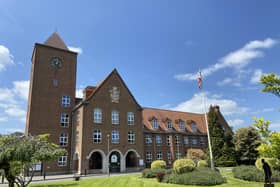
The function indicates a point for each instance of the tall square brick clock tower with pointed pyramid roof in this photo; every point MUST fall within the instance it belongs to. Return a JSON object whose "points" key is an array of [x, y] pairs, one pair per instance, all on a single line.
{"points": [[52, 96]]}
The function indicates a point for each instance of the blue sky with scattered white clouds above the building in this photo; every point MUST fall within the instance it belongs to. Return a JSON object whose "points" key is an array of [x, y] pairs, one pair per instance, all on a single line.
{"points": [[157, 46]]}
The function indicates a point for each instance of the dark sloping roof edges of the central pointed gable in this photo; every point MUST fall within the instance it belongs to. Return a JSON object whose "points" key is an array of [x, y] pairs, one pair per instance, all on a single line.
{"points": [[98, 87]]}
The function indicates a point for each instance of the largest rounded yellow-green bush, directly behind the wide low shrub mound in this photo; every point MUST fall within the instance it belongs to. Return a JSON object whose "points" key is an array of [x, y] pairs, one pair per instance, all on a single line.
{"points": [[183, 165]]}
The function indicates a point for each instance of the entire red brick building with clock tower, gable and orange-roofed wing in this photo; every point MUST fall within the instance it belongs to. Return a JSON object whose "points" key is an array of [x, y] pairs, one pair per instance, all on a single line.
{"points": [[106, 128]]}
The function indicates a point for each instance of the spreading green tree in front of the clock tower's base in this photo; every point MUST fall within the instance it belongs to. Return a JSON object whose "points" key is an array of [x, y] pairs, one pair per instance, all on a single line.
{"points": [[19, 154]]}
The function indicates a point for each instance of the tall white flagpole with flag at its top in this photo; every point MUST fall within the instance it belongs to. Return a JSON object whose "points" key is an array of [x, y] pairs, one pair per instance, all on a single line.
{"points": [[206, 121]]}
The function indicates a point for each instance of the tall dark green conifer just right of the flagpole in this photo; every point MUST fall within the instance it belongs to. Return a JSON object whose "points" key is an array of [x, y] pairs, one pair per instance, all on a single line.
{"points": [[221, 140]]}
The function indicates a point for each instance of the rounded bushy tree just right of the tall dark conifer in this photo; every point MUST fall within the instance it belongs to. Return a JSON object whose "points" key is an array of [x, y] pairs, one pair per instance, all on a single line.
{"points": [[246, 141]]}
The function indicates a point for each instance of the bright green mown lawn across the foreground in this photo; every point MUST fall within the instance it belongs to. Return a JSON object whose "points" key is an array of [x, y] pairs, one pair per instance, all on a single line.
{"points": [[137, 181]]}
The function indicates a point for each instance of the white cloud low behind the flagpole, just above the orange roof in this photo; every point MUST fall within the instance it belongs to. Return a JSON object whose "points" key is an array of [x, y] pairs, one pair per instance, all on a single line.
{"points": [[195, 104]]}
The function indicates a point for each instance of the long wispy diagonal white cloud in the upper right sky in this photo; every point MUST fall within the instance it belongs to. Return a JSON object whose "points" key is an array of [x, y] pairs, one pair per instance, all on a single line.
{"points": [[236, 59]]}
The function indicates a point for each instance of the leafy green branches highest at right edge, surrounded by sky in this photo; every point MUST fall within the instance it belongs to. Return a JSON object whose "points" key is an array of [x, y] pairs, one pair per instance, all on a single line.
{"points": [[272, 84]]}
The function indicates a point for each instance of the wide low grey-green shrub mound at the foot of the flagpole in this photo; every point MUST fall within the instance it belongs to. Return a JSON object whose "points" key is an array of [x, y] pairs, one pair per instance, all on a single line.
{"points": [[202, 176]]}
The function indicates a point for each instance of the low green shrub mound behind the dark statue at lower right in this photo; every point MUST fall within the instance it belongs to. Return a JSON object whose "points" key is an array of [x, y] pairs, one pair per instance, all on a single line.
{"points": [[252, 173]]}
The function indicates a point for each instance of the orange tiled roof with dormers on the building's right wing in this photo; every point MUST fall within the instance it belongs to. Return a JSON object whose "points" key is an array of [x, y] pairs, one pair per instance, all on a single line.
{"points": [[175, 116]]}
